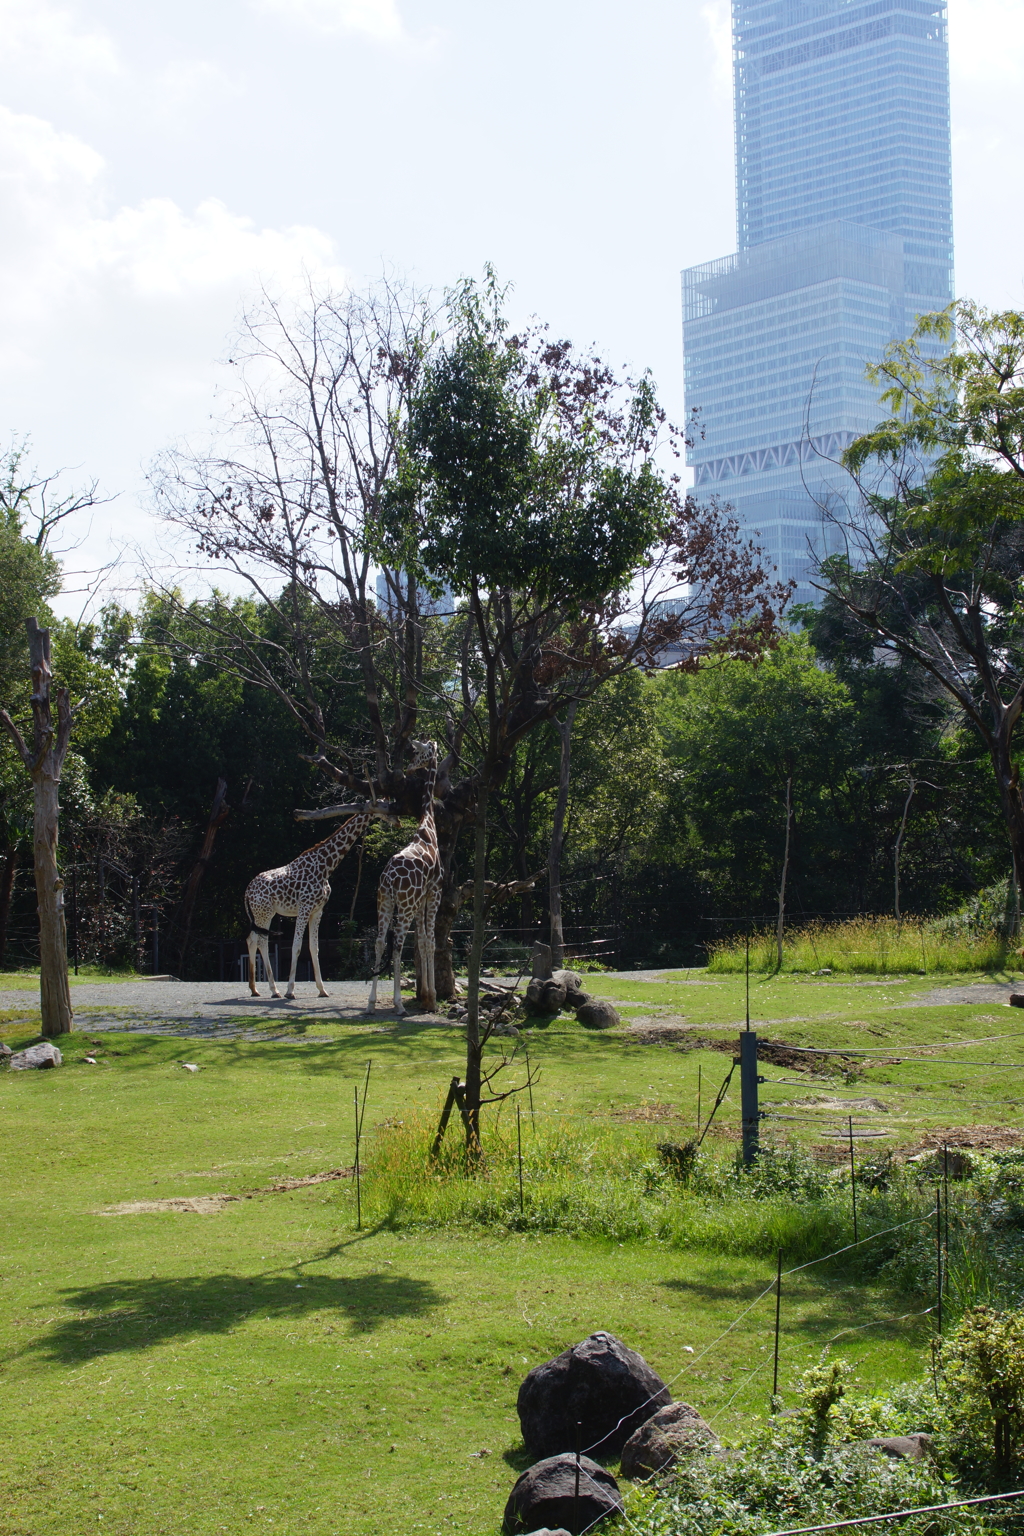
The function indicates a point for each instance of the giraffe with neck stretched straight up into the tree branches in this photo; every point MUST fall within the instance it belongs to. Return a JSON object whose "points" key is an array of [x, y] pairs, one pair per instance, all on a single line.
{"points": [[411, 893]]}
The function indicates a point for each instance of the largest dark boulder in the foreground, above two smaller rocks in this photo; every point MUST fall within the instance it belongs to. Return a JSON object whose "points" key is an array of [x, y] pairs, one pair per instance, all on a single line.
{"points": [[603, 1385]]}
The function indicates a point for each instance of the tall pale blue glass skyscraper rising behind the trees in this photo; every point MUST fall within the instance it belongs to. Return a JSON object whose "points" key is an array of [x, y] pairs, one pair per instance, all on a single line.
{"points": [[845, 236]]}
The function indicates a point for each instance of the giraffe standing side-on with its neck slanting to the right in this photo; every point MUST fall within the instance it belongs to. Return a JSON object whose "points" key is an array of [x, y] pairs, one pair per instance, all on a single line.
{"points": [[302, 890]]}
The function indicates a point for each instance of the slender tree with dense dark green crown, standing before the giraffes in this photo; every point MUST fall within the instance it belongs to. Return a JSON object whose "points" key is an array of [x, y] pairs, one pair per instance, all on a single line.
{"points": [[529, 482]]}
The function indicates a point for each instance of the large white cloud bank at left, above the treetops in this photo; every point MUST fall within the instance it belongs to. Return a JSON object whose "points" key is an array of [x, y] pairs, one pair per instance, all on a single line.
{"points": [[111, 320]]}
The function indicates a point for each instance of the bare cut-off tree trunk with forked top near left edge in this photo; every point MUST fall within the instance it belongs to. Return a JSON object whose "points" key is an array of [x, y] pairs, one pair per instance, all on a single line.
{"points": [[44, 761]]}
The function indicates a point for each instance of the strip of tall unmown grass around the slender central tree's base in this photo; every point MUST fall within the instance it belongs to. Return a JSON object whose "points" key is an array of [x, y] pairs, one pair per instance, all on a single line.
{"points": [[609, 1182]]}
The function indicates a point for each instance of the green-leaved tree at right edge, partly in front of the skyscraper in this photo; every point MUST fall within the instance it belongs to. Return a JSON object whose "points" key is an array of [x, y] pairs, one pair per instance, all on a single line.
{"points": [[934, 549]]}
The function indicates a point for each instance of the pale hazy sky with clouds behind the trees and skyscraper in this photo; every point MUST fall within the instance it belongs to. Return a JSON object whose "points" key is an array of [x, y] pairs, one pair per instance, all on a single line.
{"points": [[157, 162]]}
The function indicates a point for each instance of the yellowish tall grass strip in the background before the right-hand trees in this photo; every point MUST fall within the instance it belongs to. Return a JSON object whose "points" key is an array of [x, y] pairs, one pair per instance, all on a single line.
{"points": [[868, 947]]}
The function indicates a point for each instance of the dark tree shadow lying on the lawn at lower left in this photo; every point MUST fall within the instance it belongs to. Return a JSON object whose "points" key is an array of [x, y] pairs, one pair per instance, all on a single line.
{"points": [[137, 1314]]}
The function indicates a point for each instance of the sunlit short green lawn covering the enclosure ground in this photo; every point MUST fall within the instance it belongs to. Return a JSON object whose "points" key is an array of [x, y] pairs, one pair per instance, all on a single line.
{"points": [[266, 1366]]}
